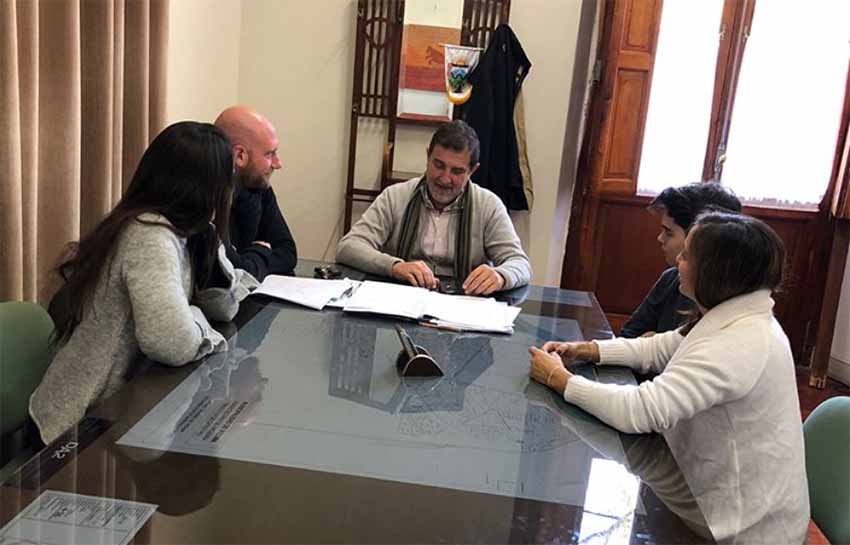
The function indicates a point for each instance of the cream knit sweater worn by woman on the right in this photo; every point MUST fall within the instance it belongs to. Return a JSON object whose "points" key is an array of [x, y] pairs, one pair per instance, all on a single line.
{"points": [[726, 402]]}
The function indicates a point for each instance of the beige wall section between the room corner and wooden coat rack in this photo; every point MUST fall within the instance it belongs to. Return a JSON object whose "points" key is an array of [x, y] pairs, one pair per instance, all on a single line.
{"points": [[296, 67]]}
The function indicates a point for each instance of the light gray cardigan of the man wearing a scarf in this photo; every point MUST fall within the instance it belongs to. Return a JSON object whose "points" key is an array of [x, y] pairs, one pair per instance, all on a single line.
{"points": [[372, 244]]}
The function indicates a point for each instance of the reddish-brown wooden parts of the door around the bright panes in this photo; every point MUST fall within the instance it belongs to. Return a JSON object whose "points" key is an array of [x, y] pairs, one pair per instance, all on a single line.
{"points": [[611, 247]]}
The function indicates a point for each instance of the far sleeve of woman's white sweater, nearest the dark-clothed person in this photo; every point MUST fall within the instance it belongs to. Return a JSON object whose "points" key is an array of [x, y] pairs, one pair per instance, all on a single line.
{"points": [[643, 354]]}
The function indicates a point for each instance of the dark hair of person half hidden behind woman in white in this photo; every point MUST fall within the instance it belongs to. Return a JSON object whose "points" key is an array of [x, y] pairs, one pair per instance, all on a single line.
{"points": [[685, 203]]}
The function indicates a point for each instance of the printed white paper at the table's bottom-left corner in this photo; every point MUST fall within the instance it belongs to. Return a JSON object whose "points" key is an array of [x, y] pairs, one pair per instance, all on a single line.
{"points": [[61, 518]]}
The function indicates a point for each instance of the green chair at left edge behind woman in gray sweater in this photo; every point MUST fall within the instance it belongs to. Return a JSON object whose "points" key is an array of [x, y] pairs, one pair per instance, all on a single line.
{"points": [[25, 330]]}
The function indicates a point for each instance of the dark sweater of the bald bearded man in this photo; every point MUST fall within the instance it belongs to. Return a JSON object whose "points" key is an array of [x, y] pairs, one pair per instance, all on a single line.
{"points": [[255, 215]]}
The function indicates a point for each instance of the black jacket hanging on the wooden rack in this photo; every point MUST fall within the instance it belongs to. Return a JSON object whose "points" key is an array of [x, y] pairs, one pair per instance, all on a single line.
{"points": [[490, 111]]}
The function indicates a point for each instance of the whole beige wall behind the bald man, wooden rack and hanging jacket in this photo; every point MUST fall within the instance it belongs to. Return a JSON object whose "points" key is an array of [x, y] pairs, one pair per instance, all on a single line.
{"points": [[294, 64]]}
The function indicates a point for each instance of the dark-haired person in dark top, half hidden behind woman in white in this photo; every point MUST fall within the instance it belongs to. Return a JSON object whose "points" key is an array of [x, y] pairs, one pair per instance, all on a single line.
{"points": [[664, 307]]}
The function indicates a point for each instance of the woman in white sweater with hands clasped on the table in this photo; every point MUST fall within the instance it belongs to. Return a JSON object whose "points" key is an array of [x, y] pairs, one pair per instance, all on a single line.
{"points": [[726, 396]]}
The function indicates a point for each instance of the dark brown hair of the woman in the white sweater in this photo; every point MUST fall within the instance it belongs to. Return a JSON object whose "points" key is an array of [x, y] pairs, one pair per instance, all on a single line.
{"points": [[733, 255]]}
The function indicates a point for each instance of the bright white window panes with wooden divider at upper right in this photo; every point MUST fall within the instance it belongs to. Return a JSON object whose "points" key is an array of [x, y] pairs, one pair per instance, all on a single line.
{"points": [[780, 115]]}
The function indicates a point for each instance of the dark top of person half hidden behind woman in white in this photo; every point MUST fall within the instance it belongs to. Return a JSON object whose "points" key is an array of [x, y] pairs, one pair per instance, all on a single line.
{"points": [[662, 308]]}
